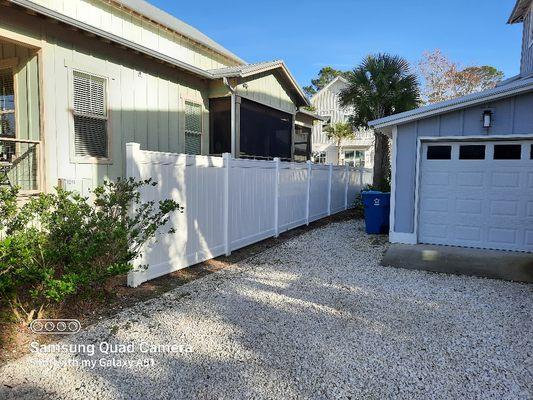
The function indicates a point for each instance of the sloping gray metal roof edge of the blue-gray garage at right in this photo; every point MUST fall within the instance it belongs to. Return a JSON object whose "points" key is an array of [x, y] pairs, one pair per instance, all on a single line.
{"points": [[514, 87]]}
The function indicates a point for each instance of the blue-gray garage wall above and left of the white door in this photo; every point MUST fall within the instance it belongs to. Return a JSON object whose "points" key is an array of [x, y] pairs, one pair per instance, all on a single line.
{"points": [[511, 116]]}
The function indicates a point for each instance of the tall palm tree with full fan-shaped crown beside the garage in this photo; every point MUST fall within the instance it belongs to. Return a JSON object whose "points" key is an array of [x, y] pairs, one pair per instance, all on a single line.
{"points": [[380, 86]]}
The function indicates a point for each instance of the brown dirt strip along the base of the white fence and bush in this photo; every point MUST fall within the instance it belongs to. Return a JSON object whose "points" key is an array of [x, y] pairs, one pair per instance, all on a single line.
{"points": [[116, 295]]}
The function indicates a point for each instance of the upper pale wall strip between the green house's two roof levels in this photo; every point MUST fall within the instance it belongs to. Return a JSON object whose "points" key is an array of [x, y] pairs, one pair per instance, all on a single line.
{"points": [[136, 29]]}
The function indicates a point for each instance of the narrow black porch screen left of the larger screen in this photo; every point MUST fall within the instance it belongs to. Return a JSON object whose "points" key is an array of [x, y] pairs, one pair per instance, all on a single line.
{"points": [[220, 125]]}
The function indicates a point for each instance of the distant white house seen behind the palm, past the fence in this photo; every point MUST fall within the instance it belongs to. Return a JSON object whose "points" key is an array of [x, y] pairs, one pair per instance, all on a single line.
{"points": [[356, 152]]}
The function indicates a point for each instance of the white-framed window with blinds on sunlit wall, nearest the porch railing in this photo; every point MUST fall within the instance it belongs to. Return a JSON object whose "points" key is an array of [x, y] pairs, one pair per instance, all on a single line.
{"points": [[90, 116]]}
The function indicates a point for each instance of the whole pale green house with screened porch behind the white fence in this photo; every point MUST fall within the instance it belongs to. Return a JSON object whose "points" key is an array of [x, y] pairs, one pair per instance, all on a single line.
{"points": [[79, 79]]}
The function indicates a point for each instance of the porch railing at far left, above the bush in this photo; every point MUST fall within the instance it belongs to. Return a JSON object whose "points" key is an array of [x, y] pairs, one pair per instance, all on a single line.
{"points": [[20, 163]]}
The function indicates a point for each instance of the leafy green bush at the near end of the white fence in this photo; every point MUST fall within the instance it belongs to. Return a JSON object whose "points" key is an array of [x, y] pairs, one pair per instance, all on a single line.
{"points": [[57, 245]]}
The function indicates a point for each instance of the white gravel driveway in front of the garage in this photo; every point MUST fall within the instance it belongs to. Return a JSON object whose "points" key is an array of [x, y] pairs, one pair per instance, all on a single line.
{"points": [[315, 317]]}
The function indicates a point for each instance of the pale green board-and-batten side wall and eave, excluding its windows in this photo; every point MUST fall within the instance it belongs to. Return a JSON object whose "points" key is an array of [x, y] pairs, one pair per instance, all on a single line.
{"points": [[145, 99]]}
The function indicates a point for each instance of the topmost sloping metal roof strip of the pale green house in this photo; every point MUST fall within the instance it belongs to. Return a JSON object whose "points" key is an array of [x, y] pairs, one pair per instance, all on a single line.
{"points": [[177, 25]]}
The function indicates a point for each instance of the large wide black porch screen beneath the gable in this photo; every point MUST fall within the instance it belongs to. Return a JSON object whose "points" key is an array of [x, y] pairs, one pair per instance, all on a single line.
{"points": [[265, 132]]}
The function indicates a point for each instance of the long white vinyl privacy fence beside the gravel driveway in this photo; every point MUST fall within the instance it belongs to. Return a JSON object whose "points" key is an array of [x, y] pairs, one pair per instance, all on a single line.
{"points": [[231, 203]]}
